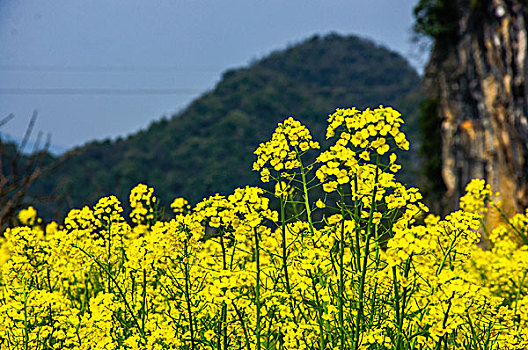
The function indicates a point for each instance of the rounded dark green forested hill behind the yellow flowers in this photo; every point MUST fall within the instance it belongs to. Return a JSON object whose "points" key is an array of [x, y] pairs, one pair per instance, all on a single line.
{"points": [[208, 147]]}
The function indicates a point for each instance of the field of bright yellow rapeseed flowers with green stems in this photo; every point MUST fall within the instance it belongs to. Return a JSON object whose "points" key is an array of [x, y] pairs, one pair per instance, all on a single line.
{"points": [[336, 255]]}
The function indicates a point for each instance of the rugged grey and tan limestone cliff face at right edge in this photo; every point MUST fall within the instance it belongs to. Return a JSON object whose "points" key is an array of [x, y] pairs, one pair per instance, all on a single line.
{"points": [[480, 80]]}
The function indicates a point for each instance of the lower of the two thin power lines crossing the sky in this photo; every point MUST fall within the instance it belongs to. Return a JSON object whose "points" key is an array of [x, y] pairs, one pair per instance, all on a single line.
{"points": [[93, 92]]}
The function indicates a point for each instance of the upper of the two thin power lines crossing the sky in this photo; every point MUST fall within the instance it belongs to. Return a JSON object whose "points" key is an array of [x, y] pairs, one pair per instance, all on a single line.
{"points": [[57, 68]]}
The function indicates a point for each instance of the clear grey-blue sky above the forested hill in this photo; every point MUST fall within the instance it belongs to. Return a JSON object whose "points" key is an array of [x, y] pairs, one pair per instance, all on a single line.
{"points": [[106, 68]]}
